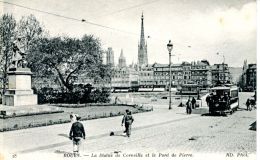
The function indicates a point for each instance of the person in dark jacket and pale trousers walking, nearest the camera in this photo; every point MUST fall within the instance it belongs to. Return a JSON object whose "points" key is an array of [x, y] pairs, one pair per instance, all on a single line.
{"points": [[76, 134]]}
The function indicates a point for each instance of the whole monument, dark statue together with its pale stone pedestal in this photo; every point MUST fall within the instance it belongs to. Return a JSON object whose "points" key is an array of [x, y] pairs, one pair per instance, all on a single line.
{"points": [[19, 92]]}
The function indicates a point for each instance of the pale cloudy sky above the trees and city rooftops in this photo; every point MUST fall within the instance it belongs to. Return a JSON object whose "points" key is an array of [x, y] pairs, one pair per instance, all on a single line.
{"points": [[198, 29]]}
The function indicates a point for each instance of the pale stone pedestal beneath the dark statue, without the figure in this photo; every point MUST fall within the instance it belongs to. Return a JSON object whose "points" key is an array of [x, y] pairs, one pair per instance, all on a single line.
{"points": [[19, 91]]}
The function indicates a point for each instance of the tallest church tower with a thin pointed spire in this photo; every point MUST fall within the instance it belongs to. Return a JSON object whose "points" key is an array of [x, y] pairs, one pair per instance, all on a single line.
{"points": [[142, 46]]}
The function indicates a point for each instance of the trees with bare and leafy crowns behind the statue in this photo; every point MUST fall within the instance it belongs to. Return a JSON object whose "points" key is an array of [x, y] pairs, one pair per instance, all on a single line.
{"points": [[62, 58]]}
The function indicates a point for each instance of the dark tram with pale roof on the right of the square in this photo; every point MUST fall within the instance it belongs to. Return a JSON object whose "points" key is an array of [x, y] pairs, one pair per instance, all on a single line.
{"points": [[223, 99]]}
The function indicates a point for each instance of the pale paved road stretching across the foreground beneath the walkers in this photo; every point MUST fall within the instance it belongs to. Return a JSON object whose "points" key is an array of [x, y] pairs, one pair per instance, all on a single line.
{"points": [[160, 131]]}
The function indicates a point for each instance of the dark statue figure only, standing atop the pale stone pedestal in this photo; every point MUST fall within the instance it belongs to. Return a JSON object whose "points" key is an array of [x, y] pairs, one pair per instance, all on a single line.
{"points": [[18, 57]]}
